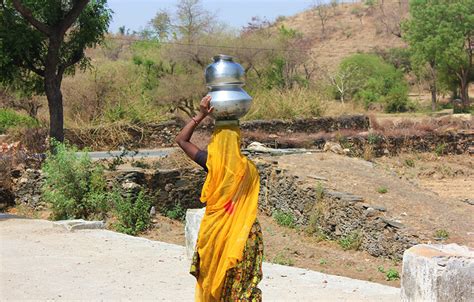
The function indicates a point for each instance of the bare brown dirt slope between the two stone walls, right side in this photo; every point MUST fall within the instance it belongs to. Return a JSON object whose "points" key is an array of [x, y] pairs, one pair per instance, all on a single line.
{"points": [[422, 203]]}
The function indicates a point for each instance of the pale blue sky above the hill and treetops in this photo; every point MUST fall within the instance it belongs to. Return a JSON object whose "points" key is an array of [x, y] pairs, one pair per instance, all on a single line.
{"points": [[135, 14]]}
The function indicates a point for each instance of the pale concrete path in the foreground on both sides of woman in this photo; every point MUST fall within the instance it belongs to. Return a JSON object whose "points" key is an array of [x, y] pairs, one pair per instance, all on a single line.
{"points": [[42, 262]]}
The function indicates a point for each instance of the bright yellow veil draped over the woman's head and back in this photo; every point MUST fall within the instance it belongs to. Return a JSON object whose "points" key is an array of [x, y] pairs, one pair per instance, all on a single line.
{"points": [[231, 195]]}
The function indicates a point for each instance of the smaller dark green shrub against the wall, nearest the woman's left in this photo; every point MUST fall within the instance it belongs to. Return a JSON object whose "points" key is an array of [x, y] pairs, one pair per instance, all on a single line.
{"points": [[132, 211]]}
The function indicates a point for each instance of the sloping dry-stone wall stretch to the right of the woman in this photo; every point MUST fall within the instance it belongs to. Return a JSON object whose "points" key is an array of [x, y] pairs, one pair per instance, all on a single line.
{"points": [[334, 214]]}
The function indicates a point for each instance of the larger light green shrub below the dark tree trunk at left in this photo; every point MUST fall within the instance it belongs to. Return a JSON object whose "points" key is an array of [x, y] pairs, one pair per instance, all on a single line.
{"points": [[74, 185]]}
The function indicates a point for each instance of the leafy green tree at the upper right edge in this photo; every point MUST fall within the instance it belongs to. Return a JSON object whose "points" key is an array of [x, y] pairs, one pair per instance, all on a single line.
{"points": [[440, 34]]}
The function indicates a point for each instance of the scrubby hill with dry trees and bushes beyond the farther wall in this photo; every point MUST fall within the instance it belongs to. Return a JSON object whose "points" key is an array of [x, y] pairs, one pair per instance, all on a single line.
{"points": [[334, 58]]}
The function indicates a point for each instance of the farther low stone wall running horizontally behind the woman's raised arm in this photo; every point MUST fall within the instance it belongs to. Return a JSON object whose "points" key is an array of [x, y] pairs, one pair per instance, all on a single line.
{"points": [[350, 131]]}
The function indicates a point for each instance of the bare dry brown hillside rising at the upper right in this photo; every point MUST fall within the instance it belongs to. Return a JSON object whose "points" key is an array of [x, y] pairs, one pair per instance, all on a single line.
{"points": [[349, 28]]}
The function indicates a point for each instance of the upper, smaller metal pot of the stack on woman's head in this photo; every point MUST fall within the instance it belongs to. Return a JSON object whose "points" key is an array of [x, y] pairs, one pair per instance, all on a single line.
{"points": [[224, 71]]}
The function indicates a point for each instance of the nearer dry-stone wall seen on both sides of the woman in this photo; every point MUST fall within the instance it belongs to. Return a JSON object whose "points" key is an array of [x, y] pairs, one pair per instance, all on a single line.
{"points": [[318, 210]]}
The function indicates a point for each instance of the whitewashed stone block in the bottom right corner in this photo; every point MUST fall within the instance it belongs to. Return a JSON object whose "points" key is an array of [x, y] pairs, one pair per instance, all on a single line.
{"points": [[438, 273]]}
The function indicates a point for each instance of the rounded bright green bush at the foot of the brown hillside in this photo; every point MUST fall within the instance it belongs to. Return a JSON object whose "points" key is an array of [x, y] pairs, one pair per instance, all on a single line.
{"points": [[375, 81]]}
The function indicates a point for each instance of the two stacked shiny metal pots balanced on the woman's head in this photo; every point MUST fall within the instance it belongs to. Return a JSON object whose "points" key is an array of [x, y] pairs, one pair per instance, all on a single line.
{"points": [[224, 78]]}
